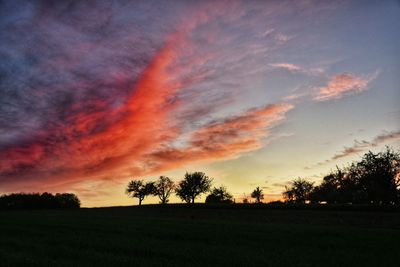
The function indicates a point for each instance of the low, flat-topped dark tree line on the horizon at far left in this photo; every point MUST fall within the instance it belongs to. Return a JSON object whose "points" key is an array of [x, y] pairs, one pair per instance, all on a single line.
{"points": [[39, 201]]}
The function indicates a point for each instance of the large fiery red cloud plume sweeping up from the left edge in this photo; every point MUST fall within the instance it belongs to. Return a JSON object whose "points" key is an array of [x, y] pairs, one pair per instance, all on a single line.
{"points": [[90, 141]]}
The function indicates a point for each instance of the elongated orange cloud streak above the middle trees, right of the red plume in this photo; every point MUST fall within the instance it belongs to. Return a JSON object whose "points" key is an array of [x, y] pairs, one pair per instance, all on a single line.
{"points": [[223, 139]]}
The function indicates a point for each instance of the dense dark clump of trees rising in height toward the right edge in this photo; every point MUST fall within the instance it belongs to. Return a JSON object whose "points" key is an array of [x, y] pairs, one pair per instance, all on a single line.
{"points": [[373, 180]]}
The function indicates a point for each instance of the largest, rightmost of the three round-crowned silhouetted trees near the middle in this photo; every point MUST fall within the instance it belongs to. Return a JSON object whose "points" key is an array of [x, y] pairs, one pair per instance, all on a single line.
{"points": [[193, 185]]}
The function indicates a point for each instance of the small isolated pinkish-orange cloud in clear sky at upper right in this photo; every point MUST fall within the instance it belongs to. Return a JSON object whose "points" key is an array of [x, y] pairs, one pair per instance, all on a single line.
{"points": [[343, 84]]}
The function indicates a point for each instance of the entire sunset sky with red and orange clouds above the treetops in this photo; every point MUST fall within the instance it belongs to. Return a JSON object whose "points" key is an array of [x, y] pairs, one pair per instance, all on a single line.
{"points": [[94, 94]]}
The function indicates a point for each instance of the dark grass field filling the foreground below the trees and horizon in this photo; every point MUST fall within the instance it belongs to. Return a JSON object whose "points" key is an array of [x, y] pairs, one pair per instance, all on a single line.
{"points": [[179, 235]]}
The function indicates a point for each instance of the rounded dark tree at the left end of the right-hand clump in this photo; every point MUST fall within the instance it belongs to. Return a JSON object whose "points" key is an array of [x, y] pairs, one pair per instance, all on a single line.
{"points": [[299, 191]]}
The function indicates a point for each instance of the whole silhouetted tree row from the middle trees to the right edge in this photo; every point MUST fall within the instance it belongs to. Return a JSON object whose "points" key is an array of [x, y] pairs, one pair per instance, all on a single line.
{"points": [[373, 180]]}
